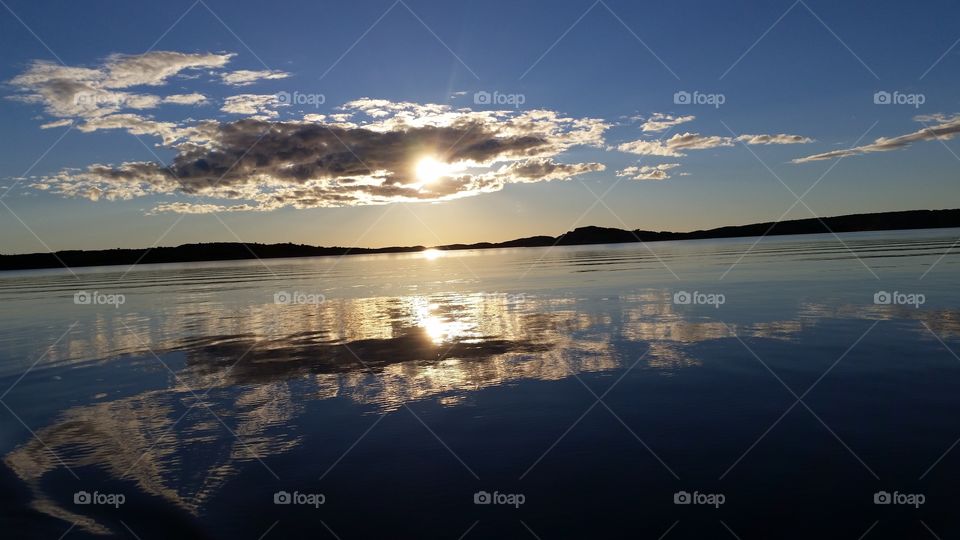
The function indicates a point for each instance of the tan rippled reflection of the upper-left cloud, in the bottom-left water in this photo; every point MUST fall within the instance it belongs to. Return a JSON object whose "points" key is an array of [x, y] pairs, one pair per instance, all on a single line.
{"points": [[180, 455]]}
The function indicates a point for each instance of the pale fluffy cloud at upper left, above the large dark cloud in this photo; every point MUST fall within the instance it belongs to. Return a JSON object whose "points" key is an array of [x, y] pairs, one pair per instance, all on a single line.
{"points": [[83, 92]]}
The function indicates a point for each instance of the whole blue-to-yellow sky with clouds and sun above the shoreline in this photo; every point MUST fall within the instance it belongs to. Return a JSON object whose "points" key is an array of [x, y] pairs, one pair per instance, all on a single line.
{"points": [[418, 122]]}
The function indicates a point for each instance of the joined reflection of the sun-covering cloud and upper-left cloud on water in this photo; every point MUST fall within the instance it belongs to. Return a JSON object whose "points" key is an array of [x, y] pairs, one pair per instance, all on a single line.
{"points": [[256, 371]]}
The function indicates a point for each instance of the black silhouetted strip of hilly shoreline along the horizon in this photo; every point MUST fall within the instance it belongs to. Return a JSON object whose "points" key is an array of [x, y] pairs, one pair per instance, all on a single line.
{"points": [[229, 251]]}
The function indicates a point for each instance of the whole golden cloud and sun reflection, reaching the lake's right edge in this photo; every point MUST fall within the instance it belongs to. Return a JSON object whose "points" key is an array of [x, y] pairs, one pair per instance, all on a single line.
{"points": [[258, 366]]}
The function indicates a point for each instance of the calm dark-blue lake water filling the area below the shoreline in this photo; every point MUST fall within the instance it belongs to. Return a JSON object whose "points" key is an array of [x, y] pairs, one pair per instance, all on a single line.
{"points": [[572, 392]]}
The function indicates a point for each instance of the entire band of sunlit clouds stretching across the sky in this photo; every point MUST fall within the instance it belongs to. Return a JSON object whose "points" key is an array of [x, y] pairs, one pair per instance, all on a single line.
{"points": [[263, 152]]}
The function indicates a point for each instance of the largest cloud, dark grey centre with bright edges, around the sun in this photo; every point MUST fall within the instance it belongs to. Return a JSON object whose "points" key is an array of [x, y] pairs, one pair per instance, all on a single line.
{"points": [[363, 157]]}
